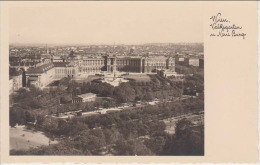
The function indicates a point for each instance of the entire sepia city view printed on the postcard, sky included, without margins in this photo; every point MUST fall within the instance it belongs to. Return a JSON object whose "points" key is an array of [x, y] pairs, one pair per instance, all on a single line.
{"points": [[106, 79]]}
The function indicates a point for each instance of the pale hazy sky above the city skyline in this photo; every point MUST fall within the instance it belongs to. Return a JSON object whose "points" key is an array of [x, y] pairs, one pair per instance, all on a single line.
{"points": [[105, 22]]}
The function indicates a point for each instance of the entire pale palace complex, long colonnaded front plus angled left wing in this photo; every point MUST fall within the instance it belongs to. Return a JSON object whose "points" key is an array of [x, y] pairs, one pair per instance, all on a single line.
{"points": [[45, 72]]}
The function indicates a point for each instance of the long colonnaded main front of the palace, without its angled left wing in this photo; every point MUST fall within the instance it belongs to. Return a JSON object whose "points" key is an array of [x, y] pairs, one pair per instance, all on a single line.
{"points": [[136, 64]]}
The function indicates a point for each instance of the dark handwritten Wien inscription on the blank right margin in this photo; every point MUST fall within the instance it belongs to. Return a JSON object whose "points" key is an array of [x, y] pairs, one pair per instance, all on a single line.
{"points": [[223, 27]]}
